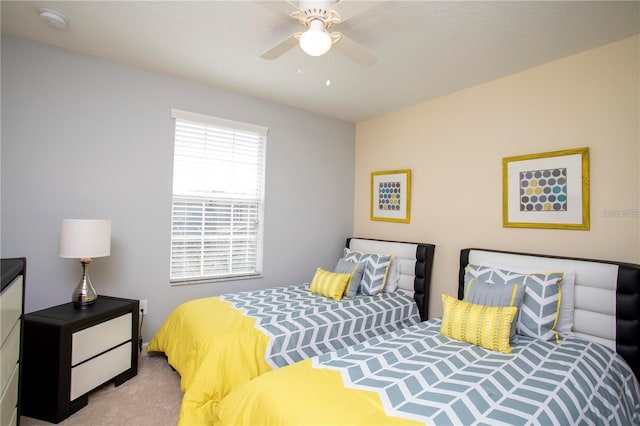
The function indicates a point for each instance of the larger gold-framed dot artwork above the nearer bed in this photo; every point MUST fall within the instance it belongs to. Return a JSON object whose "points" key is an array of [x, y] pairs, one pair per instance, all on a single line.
{"points": [[546, 190]]}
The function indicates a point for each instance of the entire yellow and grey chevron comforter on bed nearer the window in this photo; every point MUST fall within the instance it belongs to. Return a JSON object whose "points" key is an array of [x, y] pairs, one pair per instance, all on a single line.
{"points": [[219, 343]]}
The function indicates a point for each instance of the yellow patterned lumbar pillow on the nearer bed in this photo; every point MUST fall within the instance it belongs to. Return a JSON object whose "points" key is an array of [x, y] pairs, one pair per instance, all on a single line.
{"points": [[486, 326]]}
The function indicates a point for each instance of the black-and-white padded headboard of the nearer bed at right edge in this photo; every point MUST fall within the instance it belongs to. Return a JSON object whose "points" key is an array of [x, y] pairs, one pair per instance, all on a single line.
{"points": [[606, 296]]}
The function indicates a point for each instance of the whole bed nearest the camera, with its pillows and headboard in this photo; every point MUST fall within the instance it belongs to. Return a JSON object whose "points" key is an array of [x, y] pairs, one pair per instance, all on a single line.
{"points": [[587, 373]]}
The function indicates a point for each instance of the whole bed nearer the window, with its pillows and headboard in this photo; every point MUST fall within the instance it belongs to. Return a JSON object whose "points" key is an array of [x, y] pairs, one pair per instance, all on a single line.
{"points": [[219, 343]]}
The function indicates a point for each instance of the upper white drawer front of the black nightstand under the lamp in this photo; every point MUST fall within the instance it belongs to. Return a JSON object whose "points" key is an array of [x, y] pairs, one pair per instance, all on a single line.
{"points": [[94, 340]]}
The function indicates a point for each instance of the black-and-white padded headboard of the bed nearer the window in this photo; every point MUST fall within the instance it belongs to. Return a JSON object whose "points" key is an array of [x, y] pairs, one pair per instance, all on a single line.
{"points": [[416, 262]]}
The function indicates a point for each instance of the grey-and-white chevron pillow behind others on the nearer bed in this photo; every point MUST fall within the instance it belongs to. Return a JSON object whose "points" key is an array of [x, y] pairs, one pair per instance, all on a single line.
{"points": [[538, 314]]}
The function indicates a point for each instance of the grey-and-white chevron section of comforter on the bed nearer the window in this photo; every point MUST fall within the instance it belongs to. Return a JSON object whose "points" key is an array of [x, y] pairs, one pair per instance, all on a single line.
{"points": [[301, 324]]}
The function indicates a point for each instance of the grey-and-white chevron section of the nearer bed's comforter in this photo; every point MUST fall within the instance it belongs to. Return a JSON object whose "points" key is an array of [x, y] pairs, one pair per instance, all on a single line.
{"points": [[421, 375]]}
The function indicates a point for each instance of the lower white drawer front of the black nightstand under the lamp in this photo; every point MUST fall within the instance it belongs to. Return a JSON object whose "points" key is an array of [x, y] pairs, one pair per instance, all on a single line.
{"points": [[97, 371]]}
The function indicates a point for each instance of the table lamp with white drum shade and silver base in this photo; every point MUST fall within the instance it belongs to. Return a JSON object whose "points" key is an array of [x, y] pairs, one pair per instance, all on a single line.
{"points": [[84, 239]]}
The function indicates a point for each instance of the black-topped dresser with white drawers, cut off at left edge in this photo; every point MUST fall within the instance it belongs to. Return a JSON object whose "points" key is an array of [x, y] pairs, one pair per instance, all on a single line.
{"points": [[11, 309]]}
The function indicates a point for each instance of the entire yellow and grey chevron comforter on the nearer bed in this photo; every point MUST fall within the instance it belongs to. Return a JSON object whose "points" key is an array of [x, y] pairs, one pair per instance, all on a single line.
{"points": [[417, 376]]}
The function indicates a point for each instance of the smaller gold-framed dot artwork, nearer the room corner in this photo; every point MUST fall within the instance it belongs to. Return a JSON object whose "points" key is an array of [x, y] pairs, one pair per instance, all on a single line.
{"points": [[391, 196]]}
